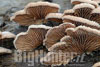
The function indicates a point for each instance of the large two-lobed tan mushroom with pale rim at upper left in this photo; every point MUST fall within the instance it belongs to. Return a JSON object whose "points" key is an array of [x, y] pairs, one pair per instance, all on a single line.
{"points": [[35, 13]]}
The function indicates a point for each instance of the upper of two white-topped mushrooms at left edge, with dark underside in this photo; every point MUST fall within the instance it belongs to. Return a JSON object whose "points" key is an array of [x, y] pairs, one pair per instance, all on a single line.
{"points": [[6, 39]]}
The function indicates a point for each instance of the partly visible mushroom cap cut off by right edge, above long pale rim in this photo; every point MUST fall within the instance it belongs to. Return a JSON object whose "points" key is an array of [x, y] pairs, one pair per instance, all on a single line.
{"points": [[95, 15]]}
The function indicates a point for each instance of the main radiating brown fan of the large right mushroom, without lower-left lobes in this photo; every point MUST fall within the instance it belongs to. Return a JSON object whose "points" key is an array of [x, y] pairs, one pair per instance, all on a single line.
{"points": [[82, 39]]}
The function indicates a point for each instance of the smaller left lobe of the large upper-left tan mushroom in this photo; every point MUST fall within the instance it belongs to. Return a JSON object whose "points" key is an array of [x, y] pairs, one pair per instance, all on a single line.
{"points": [[23, 19]]}
